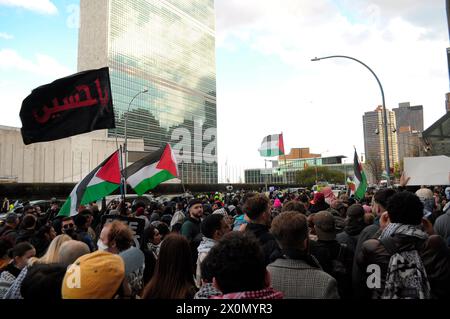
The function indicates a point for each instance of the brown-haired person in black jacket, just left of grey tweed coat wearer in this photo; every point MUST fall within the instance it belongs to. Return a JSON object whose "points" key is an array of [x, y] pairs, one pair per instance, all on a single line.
{"points": [[257, 209]]}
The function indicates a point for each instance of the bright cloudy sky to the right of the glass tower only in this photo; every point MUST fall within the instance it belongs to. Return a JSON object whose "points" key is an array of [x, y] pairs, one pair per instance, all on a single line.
{"points": [[266, 81]]}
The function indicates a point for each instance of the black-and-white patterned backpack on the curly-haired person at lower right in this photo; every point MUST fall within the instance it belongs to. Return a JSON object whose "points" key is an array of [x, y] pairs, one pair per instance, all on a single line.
{"points": [[406, 277]]}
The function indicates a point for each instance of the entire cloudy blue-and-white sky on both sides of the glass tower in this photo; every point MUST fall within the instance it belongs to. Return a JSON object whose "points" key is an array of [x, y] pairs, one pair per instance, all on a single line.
{"points": [[266, 82]]}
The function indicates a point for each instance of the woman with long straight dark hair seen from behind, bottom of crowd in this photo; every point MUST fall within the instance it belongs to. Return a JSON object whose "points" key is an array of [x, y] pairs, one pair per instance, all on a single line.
{"points": [[173, 277]]}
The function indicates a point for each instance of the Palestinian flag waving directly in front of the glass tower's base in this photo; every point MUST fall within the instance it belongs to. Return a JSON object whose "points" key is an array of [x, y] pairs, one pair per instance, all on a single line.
{"points": [[152, 170]]}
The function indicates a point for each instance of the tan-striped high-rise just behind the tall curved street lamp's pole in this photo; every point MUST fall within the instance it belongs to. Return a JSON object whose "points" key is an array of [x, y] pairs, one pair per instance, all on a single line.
{"points": [[374, 139]]}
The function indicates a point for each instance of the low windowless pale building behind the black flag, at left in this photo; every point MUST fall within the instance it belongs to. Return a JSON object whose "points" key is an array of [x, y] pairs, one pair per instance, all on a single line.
{"points": [[63, 161]]}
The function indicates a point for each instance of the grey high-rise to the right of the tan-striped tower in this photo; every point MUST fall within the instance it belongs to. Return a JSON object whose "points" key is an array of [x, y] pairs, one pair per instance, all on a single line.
{"points": [[409, 126]]}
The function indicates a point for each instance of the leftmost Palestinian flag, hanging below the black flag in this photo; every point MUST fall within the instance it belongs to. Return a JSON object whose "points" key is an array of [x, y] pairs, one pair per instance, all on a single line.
{"points": [[102, 181]]}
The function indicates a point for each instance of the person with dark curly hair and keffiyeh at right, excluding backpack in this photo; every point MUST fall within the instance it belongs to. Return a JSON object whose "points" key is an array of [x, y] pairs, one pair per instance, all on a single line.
{"points": [[405, 229]]}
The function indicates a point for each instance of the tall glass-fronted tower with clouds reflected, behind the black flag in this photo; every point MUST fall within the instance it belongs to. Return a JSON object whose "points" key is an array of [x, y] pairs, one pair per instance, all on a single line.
{"points": [[168, 48]]}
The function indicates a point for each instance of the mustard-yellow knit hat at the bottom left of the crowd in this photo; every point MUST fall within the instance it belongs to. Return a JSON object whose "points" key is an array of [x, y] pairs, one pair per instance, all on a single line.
{"points": [[94, 276]]}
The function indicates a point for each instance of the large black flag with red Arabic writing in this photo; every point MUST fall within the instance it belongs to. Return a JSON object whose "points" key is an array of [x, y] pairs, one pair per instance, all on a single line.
{"points": [[76, 104]]}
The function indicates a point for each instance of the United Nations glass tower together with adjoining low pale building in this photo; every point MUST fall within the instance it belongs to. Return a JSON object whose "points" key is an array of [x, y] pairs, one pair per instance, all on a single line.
{"points": [[161, 59]]}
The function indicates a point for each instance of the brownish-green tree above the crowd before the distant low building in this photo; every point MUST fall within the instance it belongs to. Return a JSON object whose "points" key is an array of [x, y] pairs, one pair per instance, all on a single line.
{"points": [[308, 176]]}
